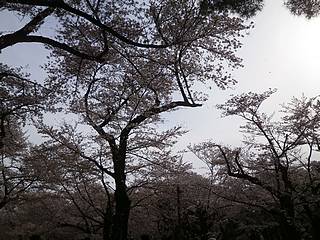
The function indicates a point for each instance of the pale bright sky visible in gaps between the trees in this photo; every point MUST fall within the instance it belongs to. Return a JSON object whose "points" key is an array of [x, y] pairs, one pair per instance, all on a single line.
{"points": [[282, 51]]}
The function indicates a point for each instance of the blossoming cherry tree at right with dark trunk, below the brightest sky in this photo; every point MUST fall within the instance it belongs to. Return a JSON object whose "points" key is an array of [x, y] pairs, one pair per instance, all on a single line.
{"points": [[278, 157]]}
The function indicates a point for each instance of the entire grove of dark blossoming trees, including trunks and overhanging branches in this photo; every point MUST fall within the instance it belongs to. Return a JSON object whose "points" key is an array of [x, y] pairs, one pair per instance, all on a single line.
{"points": [[109, 169]]}
